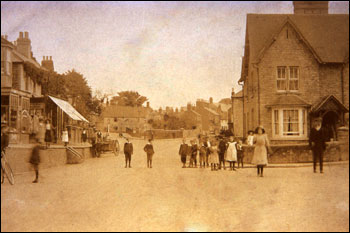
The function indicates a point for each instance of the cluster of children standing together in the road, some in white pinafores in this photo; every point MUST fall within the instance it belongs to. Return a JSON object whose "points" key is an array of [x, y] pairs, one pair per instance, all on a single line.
{"points": [[214, 153]]}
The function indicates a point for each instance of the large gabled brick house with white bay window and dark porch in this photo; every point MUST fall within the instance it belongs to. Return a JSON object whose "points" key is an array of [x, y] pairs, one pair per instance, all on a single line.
{"points": [[295, 68]]}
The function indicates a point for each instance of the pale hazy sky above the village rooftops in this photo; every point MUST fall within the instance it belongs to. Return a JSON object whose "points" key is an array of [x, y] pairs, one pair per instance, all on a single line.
{"points": [[171, 52]]}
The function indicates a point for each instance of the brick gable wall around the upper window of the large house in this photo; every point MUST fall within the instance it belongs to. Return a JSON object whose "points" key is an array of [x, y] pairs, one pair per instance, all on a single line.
{"points": [[286, 51]]}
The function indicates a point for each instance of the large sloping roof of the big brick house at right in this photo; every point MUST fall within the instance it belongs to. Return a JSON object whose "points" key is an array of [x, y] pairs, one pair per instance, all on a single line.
{"points": [[328, 35]]}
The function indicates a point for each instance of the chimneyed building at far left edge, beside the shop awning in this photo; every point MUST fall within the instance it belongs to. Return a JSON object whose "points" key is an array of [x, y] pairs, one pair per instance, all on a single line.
{"points": [[17, 88]]}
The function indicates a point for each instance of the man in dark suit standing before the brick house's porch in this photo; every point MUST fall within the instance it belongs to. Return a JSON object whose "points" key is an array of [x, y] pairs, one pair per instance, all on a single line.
{"points": [[317, 142]]}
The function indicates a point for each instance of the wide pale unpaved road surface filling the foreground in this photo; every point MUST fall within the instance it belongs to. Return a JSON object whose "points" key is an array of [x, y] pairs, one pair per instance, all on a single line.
{"points": [[101, 195]]}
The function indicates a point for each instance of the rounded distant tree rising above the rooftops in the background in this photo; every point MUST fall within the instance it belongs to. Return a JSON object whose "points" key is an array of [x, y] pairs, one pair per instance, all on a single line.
{"points": [[128, 98]]}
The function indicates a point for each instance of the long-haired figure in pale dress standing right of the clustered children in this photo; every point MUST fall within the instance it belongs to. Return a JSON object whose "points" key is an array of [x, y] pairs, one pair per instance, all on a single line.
{"points": [[260, 151]]}
